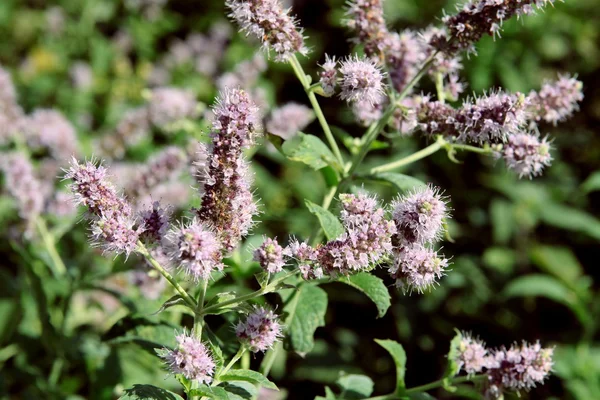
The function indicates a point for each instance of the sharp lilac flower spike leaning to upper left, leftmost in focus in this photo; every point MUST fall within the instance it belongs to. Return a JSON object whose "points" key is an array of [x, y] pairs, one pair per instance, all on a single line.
{"points": [[111, 215]]}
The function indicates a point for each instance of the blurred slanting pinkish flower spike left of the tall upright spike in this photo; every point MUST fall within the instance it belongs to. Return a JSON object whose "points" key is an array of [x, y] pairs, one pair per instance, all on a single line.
{"points": [[160, 168]]}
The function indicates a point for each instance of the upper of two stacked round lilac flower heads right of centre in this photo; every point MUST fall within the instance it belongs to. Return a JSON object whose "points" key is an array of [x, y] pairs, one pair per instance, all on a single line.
{"points": [[419, 216]]}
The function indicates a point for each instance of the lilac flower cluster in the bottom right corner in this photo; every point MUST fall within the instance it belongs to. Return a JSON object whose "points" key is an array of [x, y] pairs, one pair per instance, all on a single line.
{"points": [[517, 368]]}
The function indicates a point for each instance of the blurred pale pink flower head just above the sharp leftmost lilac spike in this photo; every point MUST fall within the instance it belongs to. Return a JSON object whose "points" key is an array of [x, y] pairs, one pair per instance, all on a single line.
{"points": [[50, 130]]}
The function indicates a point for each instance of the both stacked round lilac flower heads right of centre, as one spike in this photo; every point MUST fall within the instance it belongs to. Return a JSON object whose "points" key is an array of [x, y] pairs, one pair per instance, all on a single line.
{"points": [[419, 219]]}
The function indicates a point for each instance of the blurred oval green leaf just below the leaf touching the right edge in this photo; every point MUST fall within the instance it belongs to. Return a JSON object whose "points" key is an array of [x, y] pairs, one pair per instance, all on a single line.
{"points": [[557, 261]]}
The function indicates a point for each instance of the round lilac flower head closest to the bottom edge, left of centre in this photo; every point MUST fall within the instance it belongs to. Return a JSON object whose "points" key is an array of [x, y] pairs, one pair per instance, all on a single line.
{"points": [[191, 358]]}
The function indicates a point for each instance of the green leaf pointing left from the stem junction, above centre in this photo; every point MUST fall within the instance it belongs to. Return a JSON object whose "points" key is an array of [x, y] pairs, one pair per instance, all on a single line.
{"points": [[310, 150]]}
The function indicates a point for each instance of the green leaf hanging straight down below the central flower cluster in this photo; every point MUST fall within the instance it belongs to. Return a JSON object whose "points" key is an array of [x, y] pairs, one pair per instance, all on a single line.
{"points": [[306, 312]]}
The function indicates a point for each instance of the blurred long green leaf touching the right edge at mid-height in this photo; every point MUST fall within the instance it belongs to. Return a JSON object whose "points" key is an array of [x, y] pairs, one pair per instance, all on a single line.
{"points": [[571, 219]]}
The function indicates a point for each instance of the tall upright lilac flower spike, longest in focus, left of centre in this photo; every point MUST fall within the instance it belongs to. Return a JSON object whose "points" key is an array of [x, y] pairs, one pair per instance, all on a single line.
{"points": [[227, 203]]}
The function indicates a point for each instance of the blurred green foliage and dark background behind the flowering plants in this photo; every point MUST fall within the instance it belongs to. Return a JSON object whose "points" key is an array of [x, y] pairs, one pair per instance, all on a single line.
{"points": [[525, 253]]}
